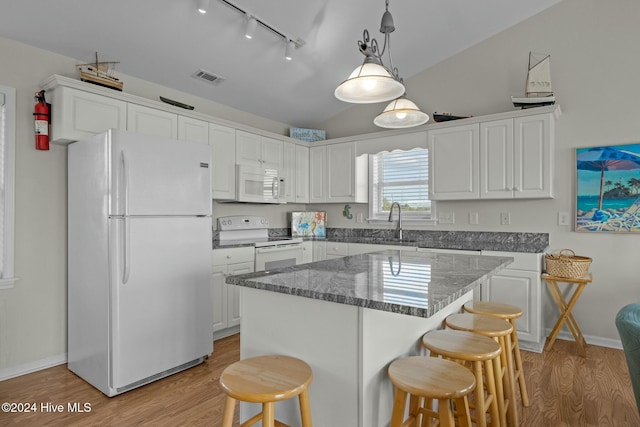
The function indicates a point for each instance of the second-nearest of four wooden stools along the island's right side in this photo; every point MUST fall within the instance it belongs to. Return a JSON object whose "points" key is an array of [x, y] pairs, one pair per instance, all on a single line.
{"points": [[483, 355]]}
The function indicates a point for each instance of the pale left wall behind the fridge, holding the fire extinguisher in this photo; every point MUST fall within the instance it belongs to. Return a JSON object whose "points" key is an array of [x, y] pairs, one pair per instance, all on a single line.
{"points": [[33, 314]]}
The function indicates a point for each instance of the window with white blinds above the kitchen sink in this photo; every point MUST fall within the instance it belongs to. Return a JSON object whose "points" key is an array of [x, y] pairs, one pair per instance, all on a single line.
{"points": [[403, 177]]}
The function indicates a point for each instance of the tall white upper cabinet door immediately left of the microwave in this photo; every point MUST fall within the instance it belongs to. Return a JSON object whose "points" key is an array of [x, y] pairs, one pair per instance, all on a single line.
{"points": [[223, 158]]}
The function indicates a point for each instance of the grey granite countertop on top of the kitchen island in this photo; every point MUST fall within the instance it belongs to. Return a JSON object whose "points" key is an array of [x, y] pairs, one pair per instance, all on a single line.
{"points": [[405, 282]]}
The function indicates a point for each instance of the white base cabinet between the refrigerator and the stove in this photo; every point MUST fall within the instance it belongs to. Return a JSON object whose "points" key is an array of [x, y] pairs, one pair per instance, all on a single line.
{"points": [[226, 298]]}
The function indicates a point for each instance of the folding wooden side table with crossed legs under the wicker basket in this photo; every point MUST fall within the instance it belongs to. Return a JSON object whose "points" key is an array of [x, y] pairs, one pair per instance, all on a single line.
{"points": [[566, 307]]}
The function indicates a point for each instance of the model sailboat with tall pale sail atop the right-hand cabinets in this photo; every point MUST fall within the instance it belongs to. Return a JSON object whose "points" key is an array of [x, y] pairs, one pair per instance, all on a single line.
{"points": [[538, 91]]}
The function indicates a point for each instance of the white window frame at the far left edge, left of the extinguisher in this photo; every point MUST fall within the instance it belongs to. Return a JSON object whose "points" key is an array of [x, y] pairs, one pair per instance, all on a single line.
{"points": [[7, 278]]}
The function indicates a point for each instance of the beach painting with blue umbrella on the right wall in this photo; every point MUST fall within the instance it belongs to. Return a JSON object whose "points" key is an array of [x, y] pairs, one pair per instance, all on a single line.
{"points": [[608, 191]]}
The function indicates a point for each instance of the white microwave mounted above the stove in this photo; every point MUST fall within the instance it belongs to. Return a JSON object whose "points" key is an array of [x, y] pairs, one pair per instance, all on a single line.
{"points": [[259, 185]]}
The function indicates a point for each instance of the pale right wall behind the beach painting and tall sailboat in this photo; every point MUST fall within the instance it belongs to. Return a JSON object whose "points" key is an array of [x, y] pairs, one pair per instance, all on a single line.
{"points": [[594, 70]]}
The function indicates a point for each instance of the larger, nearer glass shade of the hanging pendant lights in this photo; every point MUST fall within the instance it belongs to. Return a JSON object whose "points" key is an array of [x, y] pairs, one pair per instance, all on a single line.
{"points": [[369, 83]]}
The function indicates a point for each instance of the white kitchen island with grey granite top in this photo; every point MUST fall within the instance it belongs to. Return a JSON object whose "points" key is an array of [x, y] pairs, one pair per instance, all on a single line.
{"points": [[348, 318]]}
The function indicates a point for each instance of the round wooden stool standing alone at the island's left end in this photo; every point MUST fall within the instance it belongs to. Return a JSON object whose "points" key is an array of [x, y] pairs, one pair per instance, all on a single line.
{"points": [[266, 380]]}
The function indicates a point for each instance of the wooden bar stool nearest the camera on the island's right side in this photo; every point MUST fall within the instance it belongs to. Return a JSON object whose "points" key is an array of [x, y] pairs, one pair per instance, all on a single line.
{"points": [[430, 378]]}
